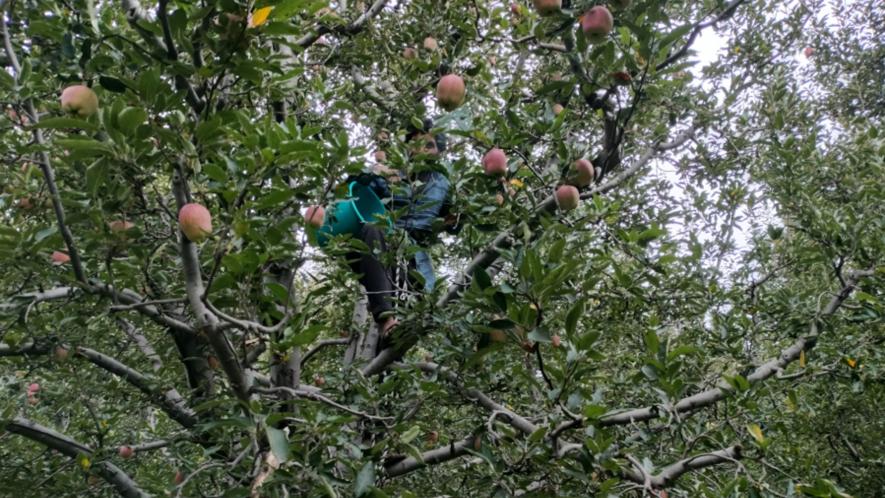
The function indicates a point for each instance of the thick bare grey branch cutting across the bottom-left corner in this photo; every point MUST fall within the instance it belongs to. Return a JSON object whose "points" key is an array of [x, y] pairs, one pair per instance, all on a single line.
{"points": [[71, 448]]}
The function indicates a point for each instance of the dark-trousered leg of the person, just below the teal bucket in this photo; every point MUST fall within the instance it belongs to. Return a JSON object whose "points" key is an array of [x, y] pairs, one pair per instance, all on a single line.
{"points": [[374, 276]]}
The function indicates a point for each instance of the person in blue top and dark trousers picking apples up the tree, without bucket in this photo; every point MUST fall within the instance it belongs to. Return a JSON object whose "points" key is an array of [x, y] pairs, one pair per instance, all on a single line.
{"points": [[419, 195]]}
